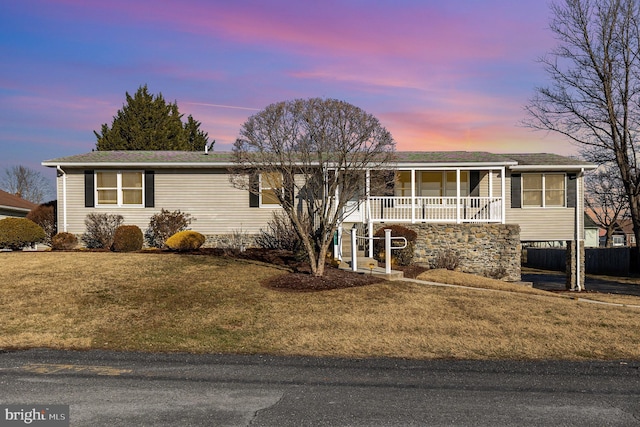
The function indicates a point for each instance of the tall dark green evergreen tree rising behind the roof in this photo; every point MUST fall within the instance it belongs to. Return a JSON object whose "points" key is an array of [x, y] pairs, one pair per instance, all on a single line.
{"points": [[148, 122]]}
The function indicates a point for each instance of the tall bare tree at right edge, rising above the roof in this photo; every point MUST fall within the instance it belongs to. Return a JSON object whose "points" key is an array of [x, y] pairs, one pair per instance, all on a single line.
{"points": [[594, 97]]}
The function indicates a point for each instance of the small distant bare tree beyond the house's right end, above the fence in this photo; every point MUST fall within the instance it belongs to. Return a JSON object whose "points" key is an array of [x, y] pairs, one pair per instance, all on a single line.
{"points": [[606, 199]]}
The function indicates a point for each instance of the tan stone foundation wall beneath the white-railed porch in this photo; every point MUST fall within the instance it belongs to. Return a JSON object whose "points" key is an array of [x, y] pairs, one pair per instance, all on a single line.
{"points": [[491, 250]]}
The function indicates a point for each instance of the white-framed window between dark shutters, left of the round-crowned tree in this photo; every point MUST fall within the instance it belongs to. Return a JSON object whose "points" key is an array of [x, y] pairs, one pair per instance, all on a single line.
{"points": [[117, 188]]}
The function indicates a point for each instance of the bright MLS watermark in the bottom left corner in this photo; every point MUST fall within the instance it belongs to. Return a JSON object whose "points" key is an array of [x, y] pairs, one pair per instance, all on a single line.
{"points": [[34, 415]]}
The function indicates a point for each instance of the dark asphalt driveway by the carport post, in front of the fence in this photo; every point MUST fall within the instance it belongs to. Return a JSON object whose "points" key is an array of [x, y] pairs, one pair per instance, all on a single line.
{"points": [[555, 281]]}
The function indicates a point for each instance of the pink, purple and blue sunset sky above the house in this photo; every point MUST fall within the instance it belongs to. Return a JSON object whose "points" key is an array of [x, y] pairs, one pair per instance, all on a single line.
{"points": [[439, 75]]}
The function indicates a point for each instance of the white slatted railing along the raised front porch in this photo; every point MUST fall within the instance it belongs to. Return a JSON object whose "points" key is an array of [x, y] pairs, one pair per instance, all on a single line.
{"points": [[435, 209]]}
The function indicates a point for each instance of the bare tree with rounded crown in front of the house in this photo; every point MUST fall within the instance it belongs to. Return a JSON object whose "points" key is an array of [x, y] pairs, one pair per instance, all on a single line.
{"points": [[311, 158]]}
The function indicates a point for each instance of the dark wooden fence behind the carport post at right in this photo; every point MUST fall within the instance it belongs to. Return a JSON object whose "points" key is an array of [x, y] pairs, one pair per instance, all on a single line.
{"points": [[613, 261]]}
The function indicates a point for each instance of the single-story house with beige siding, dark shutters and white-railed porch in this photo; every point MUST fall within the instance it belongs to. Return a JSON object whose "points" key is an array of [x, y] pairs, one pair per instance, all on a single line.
{"points": [[539, 197]]}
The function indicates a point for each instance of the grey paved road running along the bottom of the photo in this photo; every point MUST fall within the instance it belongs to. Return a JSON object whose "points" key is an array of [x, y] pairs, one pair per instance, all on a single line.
{"points": [[130, 389]]}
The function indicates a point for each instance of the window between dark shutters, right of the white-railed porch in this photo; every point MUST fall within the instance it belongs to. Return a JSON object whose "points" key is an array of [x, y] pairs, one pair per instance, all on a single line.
{"points": [[543, 190]]}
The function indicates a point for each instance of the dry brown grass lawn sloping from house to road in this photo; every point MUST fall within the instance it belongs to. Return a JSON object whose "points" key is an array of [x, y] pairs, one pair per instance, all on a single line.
{"points": [[155, 302]]}
